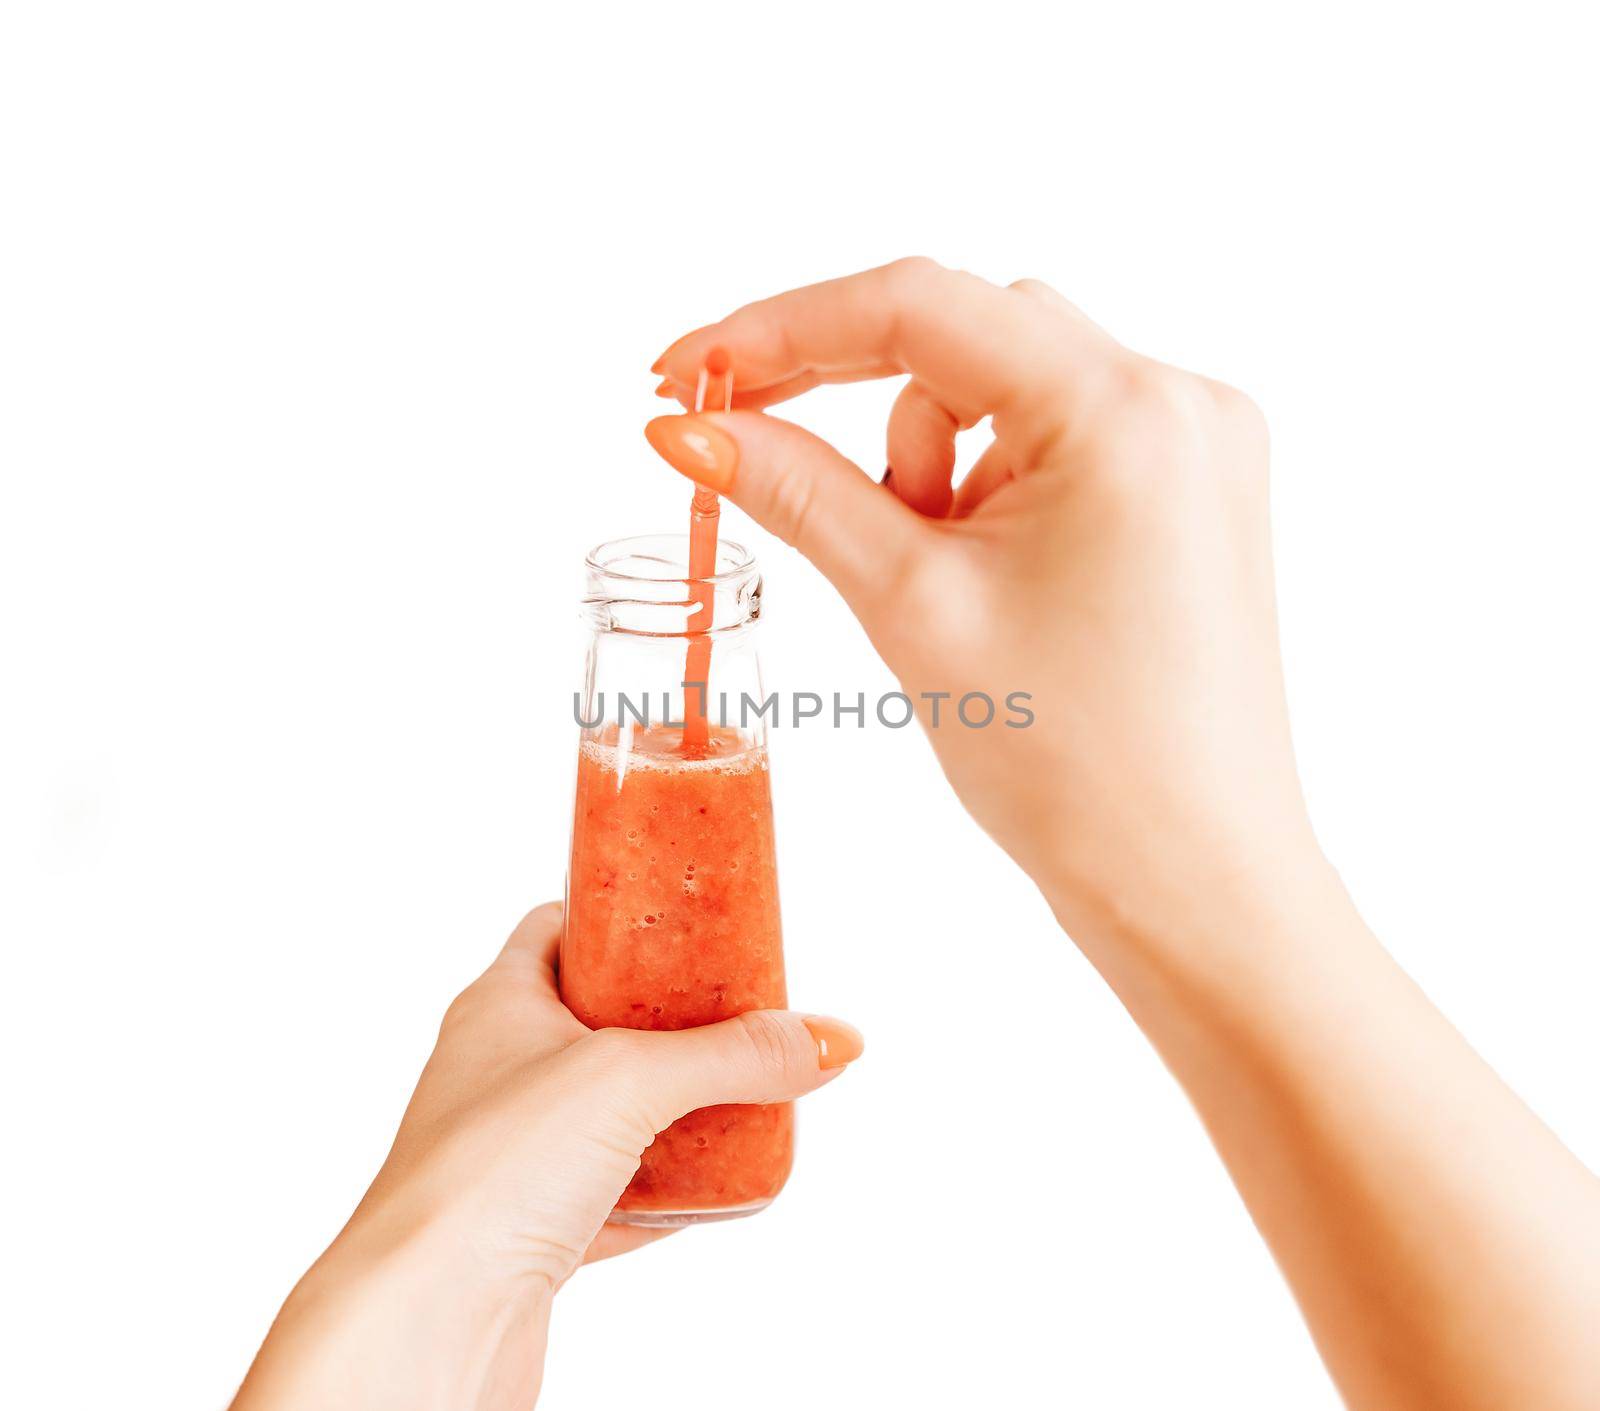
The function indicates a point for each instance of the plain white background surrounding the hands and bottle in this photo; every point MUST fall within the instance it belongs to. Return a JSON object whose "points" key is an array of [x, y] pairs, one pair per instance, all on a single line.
{"points": [[324, 343]]}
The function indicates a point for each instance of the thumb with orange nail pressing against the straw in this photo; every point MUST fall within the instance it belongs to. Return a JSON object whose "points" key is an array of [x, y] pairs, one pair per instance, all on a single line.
{"points": [[862, 537]]}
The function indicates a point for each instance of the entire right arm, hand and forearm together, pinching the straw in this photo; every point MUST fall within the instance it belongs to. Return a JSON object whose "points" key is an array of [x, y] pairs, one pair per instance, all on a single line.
{"points": [[1110, 556]]}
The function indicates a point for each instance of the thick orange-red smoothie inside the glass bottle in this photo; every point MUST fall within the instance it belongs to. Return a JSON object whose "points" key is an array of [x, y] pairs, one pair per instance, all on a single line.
{"points": [[671, 924]]}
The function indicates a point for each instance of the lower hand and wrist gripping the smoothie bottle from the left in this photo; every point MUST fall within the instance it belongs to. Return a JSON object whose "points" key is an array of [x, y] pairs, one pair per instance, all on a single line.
{"points": [[524, 1132]]}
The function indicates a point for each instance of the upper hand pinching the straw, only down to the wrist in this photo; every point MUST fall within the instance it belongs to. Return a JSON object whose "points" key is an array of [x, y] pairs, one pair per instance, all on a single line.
{"points": [[1110, 556]]}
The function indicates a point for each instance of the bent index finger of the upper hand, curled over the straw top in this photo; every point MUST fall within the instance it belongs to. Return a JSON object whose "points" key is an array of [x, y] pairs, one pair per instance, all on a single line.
{"points": [[978, 348]]}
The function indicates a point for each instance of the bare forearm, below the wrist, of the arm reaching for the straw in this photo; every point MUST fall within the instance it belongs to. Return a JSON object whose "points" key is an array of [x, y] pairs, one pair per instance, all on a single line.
{"points": [[1444, 1245]]}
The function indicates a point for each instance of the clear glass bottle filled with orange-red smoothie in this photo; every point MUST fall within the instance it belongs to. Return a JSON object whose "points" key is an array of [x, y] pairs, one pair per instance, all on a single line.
{"points": [[673, 884]]}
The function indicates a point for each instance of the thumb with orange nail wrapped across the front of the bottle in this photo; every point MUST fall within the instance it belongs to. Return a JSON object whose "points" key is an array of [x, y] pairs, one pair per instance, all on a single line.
{"points": [[764, 1057]]}
